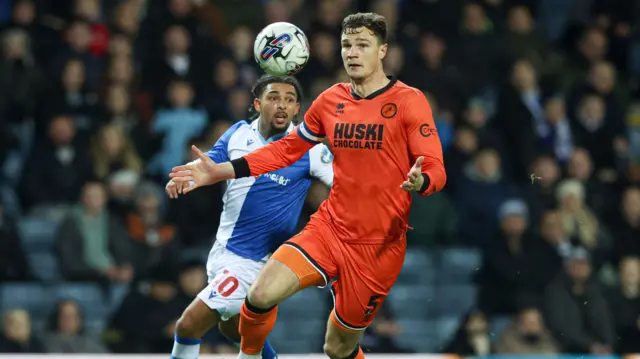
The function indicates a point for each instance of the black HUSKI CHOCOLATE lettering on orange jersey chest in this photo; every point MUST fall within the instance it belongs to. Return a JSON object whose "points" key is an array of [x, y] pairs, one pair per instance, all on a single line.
{"points": [[358, 136]]}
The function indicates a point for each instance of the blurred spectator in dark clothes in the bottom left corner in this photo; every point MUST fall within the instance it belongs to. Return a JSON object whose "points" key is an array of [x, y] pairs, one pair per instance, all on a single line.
{"points": [[17, 336]]}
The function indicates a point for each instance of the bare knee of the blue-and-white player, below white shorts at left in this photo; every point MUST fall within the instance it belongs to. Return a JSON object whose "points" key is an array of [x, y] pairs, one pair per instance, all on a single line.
{"points": [[196, 320]]}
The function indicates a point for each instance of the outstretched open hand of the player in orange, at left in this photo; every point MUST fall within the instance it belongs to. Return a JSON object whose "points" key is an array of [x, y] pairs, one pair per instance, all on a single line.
{"points": [[196, 174]]}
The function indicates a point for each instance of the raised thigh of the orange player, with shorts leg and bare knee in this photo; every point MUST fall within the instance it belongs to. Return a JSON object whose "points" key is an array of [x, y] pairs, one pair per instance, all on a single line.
{"points": [[301, 262]]}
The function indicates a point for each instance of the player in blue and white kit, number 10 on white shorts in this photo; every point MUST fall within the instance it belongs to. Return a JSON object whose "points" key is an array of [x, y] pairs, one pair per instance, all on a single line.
{"points": [[259, 214]]}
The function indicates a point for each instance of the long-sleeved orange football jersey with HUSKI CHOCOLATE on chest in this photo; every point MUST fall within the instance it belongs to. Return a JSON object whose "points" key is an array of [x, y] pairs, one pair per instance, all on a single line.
{"points": [[375, 141]]}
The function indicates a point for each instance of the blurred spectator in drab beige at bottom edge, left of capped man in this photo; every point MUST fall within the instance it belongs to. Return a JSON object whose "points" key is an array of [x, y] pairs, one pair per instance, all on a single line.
{"points": [[527, 335]]}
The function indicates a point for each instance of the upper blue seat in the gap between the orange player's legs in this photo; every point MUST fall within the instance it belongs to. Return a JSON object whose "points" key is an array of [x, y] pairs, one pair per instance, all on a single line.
{"points": [[311, 301]]}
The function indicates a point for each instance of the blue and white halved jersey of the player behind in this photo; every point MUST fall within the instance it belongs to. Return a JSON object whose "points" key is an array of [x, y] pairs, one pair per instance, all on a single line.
{"points": [[261, 213]]}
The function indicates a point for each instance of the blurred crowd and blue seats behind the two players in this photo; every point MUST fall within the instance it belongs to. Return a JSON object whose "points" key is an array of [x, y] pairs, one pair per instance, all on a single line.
{"points": [[533, 247]]}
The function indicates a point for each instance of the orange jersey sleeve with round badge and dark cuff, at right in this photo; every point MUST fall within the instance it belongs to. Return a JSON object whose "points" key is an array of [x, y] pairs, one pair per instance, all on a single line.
{"points": [[423, 140]]}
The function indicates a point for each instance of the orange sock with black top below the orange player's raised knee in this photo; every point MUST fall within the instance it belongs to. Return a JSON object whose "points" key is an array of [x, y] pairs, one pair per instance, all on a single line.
{"points": [[255, 326]]}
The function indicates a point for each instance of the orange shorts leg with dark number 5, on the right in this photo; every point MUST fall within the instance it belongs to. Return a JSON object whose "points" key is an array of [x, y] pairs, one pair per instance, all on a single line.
{"points": [[367, 274]]}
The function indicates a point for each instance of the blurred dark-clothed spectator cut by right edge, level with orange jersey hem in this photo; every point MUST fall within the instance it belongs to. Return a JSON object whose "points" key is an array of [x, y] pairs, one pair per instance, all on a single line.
{"points": [[624, 224]]}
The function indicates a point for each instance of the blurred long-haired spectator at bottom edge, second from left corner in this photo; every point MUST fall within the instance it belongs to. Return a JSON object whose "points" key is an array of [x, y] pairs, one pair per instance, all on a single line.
{"points": [[66, 331]]}
